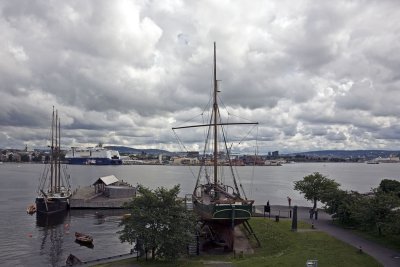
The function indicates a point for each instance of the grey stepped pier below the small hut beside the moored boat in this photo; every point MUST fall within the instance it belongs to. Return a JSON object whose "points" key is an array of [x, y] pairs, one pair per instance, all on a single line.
{"points": [[86, 198]]}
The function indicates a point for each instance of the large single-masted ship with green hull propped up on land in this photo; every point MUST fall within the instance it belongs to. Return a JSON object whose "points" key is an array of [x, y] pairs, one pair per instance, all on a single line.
{"points": [[220, 206]]}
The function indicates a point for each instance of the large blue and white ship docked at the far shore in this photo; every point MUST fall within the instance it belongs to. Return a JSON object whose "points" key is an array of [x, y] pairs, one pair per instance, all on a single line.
{"points": [[93, 156]]}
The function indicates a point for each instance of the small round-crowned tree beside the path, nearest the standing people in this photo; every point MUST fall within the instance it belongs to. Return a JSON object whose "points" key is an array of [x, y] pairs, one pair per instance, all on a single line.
{"points": [[316, 187]]}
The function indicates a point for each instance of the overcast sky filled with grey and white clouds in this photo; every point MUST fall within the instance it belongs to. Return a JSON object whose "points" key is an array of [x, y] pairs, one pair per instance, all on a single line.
{"points": [[315, 74]]}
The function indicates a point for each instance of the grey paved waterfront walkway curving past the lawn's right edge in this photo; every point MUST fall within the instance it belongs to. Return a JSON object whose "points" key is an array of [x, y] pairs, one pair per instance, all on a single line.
{"points": [[387, 257]]}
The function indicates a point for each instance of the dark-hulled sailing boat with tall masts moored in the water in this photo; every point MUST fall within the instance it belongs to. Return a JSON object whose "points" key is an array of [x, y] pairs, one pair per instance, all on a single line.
{"points": [[54, 190]]}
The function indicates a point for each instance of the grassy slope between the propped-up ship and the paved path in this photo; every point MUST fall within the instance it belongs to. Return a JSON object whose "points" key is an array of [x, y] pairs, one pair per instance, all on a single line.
{"points": [[281, 247]]}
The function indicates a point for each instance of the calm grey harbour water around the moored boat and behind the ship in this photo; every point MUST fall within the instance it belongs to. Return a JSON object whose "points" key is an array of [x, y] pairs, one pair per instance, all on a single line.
{"points": [[30, 241]]}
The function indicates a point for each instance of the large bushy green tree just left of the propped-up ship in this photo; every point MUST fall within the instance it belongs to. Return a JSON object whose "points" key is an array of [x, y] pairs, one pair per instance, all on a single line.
{"points": [[159, 221]]}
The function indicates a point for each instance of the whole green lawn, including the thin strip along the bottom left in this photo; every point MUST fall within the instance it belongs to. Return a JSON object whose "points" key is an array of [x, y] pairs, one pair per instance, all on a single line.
{"points": [[280, 247]]}
